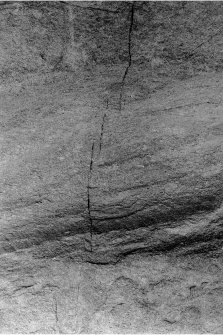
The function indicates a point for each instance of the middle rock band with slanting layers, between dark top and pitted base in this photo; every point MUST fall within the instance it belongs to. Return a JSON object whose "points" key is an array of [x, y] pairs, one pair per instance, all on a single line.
{"points": [[77, 173]]}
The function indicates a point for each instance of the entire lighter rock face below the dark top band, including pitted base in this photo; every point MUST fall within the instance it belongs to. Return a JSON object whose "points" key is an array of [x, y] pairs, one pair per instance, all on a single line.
{"points": [[83, 181]]}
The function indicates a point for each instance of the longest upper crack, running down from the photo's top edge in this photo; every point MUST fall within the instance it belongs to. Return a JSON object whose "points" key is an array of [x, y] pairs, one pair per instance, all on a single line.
{"points": [[129, 54]]}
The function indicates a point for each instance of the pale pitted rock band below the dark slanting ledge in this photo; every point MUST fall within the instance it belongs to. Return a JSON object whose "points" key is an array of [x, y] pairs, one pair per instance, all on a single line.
{"points": [[141, 294]]}
